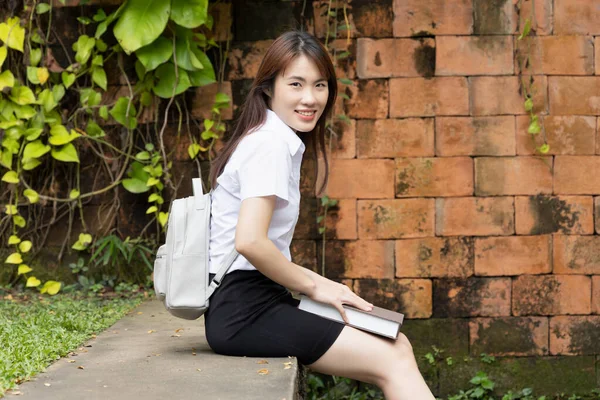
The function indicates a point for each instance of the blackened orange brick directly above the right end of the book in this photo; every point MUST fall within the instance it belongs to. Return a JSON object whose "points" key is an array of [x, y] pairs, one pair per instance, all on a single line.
{"points": [[411, 297]]}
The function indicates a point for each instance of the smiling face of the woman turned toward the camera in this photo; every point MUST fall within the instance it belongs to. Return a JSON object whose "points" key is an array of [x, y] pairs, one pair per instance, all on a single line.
{"points": [[300, 94]]}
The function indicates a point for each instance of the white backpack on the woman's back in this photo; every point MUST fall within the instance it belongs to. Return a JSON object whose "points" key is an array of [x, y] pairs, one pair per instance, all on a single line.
{"points": [[181, 267]]}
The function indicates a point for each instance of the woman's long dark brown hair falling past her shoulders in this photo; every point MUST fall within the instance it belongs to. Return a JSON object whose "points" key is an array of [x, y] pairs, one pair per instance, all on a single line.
{"points": [[254, 110]]}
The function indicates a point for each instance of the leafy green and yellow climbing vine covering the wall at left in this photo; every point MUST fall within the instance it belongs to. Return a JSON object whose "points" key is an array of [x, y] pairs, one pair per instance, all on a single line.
{"points": [[59, 121]]}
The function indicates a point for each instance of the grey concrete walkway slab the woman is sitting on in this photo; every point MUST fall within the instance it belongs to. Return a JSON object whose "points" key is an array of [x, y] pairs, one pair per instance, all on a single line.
{"points": [[150, 355]]}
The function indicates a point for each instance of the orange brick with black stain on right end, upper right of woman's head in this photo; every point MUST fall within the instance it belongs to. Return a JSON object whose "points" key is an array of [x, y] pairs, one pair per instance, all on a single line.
{"points": [[384, 58]]}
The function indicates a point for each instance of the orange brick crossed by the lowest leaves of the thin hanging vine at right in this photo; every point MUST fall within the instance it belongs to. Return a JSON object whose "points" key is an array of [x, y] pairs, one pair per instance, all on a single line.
{"points": [[566, 135]]}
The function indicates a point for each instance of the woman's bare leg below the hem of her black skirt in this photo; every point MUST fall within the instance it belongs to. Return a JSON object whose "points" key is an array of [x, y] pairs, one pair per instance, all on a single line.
{"points": [[389, 364]]}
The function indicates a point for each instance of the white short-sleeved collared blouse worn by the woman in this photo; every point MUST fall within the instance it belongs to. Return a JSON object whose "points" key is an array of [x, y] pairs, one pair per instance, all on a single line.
{"points": [[266, 162]]}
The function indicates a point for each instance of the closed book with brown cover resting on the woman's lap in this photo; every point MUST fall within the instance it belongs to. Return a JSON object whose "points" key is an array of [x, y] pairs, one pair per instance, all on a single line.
{"points": [[379, 320]]}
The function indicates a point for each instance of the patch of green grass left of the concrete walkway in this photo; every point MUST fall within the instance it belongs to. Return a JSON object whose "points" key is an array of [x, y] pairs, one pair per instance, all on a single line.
{"points": [[37, 330]]}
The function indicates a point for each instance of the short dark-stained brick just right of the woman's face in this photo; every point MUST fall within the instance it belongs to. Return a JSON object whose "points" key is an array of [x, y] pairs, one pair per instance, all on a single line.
{"points": [[368, 99]]}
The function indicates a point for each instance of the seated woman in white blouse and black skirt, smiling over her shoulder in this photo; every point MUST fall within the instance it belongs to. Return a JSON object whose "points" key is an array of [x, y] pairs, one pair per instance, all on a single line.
{"points": [[256, 201]]}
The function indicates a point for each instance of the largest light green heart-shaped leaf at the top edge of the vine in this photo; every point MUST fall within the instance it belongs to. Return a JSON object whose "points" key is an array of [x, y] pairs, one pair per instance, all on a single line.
{"points": [[141, 22]]}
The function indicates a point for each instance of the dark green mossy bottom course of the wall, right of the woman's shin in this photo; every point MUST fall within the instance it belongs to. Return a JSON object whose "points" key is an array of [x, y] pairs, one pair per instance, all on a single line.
{"points": [[545, 375]]}
